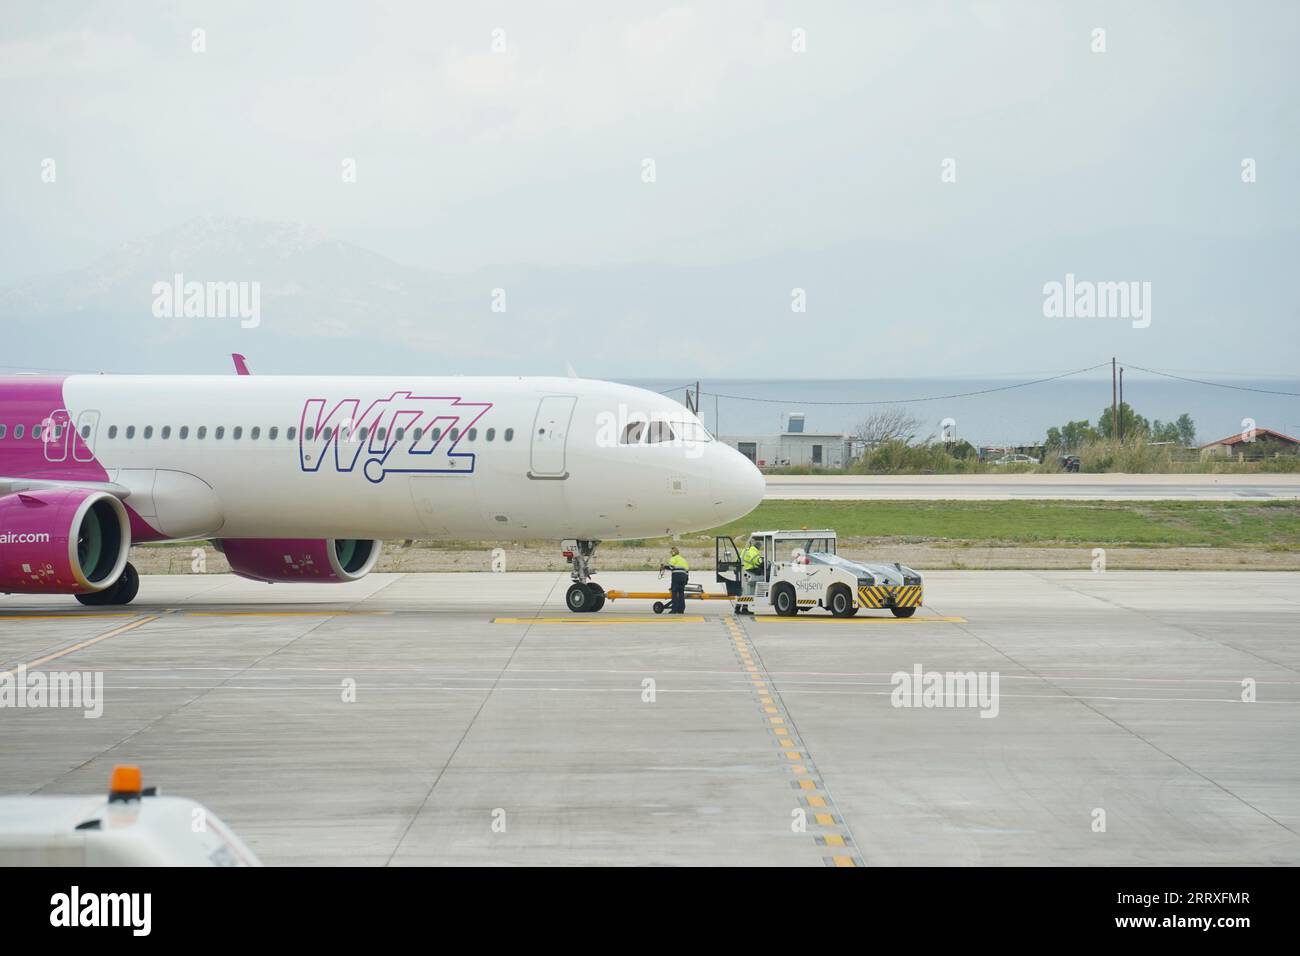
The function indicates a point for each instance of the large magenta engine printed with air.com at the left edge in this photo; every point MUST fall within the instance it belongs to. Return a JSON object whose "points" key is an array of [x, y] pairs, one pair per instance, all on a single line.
{"points": [[62, 542]]}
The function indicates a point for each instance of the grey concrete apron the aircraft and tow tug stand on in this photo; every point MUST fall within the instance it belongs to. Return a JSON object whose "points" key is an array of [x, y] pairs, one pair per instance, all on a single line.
{"points": [[492, 726]]}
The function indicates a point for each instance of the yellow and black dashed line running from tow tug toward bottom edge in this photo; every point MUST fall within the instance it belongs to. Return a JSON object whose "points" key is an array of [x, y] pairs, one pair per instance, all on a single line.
{"points": [[827, 829]]}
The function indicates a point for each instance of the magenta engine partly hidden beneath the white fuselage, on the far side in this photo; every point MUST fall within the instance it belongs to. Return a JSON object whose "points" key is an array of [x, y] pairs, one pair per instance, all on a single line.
{"points": [[311, 561]]}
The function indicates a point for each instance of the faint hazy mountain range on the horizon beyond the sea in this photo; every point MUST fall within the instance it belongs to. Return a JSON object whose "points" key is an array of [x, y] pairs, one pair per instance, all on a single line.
{"points": [[947, 305]]}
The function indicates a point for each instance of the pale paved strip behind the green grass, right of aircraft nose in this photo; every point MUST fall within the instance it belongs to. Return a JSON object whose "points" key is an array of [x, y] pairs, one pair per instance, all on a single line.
{"points": [[1007, 487]]}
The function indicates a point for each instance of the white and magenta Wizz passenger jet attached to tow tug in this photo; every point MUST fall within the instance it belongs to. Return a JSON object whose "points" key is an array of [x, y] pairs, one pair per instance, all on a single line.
{"points": [[300, 479]]}
